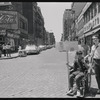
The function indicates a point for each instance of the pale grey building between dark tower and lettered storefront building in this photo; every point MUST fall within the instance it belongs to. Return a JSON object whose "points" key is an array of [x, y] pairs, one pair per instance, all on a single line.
{"points": [[78, 20]]}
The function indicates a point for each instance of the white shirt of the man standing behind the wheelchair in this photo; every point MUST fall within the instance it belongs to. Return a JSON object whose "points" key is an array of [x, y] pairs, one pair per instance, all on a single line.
{"points": [[96, 51]]}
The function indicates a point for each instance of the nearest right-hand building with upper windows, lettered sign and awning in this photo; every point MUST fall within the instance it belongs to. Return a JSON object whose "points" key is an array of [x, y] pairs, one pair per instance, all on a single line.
{"points": [[91, 17]]}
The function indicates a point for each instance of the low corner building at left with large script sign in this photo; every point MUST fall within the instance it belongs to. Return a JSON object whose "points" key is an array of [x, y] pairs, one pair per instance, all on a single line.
{"points": [[15, 26]]}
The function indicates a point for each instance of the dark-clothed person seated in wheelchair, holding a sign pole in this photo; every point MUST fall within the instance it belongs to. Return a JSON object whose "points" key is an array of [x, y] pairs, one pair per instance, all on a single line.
{"points": [[77, 73]]}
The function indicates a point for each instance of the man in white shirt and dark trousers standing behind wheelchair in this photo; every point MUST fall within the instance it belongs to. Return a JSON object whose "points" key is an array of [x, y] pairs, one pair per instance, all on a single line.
{"points": [[95, 59]]}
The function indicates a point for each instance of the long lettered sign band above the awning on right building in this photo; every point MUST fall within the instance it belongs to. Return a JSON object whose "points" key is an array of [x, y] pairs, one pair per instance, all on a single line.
{"points": [[92, 23]]}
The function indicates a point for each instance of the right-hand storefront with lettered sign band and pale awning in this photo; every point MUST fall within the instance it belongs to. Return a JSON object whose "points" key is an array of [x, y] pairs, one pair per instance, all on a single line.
{"points": [[92, 28]]}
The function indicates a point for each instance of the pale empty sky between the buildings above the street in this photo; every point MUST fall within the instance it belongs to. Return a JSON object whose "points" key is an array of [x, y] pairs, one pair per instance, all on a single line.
{"points": [[53, 16]]}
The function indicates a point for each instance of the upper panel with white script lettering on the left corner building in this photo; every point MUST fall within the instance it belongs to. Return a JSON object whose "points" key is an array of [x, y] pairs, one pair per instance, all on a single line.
{"points": [[6, 18]]}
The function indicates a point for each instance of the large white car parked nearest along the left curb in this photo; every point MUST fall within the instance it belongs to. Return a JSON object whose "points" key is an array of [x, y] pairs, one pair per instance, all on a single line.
{"points": [[32, 49]]}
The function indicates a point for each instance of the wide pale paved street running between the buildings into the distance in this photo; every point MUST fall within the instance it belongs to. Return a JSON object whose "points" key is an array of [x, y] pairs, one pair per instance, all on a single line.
{"points": [[43, 75]]}
